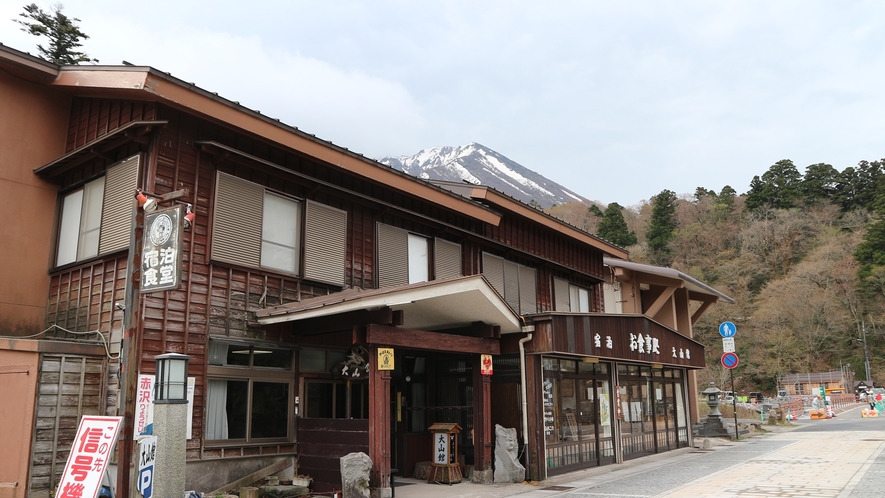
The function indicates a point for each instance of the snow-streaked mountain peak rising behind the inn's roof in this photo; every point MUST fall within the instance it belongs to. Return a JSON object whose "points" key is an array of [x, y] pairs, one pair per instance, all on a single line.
{"points": [[480, 165]]}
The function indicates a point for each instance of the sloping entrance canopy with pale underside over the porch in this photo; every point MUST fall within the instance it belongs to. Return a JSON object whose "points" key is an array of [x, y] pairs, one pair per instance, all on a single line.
{"points": [[435, 305]]}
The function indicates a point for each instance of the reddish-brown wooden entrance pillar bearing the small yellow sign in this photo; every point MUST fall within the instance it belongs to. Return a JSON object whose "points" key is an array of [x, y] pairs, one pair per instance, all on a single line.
{"points": [[379, 423]]}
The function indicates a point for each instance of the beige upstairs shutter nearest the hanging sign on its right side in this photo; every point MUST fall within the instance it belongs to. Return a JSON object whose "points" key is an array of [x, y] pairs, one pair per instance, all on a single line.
{"points": [[237, 221]]}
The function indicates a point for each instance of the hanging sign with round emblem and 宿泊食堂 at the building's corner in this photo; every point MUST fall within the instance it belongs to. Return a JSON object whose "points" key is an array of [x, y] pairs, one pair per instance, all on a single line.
{"points": [[161, 250]]}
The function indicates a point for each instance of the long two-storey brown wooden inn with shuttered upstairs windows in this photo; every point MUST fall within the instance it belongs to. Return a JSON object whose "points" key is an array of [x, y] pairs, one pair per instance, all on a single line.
{"points": [[328, 303]]}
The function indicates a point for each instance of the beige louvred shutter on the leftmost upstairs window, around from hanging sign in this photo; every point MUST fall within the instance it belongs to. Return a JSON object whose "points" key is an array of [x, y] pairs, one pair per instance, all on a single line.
{"points": [[119, 198]]}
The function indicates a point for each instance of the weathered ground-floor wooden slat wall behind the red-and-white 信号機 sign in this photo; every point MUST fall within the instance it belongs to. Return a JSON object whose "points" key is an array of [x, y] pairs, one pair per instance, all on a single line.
{"points": [[68, 388]]}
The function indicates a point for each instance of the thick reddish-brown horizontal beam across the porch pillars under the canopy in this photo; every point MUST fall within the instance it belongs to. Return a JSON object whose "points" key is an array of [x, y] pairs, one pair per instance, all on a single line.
{"points": [[422, 339]]}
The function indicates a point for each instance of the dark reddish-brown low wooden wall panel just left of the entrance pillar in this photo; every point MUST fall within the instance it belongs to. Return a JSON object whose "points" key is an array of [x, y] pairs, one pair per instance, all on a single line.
{"points": [[322, 443]]}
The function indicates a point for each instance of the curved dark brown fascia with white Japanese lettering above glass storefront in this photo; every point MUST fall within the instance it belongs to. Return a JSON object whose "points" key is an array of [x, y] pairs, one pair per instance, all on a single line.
{"points": [[575, 334]]}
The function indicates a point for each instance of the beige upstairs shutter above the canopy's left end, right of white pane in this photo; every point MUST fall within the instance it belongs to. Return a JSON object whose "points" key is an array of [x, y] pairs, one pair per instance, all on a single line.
{"points": [[325, 243]]}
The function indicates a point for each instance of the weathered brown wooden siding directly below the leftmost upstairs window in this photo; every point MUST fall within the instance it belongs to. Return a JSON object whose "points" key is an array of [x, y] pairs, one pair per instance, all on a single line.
{"points": [[82, 299]]}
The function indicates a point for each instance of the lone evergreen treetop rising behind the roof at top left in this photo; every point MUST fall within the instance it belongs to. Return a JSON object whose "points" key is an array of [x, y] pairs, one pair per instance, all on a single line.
{"points": [[64, 35]]}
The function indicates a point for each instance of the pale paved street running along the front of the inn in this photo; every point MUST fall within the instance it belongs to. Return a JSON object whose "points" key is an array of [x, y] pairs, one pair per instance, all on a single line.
{"points": [[841, 457]]}
